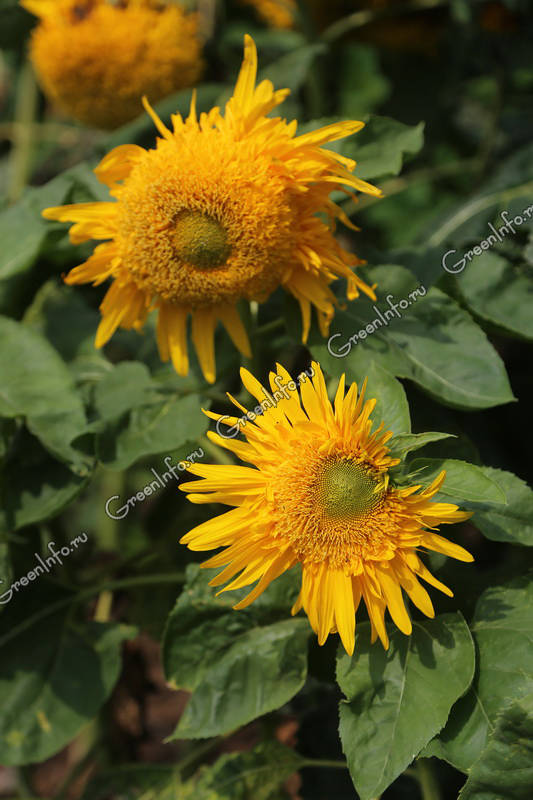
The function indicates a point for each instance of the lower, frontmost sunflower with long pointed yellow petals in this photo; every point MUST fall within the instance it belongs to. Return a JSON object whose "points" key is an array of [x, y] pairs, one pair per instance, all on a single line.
{"points": [[319, 494]]}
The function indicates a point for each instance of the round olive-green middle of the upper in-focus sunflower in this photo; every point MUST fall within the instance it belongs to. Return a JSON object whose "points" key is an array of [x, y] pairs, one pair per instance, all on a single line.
{"points": [[200, 240]]}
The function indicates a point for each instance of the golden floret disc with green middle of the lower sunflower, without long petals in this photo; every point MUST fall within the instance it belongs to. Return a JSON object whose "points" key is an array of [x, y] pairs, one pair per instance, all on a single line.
{"points": [[333, 505]]}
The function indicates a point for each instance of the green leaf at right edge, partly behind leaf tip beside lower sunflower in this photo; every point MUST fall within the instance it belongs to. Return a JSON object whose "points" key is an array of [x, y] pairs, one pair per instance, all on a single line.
{"points": [[512, 522]]}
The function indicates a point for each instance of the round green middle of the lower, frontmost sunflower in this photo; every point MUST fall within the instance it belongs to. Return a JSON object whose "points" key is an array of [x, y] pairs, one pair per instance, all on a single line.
{"points": [[348, 490]]}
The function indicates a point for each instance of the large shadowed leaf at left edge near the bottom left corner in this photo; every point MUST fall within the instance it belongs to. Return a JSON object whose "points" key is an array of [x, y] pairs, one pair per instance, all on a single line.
{"points": [[53, 679]]}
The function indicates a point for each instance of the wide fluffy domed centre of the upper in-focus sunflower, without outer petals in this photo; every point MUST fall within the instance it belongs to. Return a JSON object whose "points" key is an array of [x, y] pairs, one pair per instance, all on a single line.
{"points": [[204, 222]]}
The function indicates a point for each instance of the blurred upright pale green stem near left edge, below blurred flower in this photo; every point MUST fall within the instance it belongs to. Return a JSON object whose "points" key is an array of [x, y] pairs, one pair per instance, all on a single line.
{"points": [[21, 153]]}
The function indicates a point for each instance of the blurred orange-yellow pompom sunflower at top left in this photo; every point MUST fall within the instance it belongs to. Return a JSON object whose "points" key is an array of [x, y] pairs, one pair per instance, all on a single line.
{"points": [[95, 59]]}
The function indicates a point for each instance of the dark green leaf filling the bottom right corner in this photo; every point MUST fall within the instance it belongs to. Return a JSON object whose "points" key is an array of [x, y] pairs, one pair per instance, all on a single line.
{"points": [[505, 768]]}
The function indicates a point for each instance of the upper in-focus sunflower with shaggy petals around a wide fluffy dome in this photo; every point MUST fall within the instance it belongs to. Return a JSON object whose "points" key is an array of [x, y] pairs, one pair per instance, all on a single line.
{"points": [[224, 208]]}
